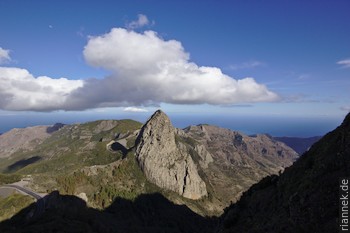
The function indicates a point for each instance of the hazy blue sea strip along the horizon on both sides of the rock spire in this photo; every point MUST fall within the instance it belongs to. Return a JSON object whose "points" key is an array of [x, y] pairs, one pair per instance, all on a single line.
{"points": [[273, 125]]}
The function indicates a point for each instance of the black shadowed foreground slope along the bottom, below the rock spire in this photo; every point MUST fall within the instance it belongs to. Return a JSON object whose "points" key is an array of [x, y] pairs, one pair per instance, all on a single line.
{"points": [[148, 213]]}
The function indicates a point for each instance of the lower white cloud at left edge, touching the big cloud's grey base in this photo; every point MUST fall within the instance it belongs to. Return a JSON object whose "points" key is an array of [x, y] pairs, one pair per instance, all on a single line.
{"points": [[19, 90]]}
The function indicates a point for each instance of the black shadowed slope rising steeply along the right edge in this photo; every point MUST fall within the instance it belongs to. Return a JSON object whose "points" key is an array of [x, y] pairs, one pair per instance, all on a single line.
{"points": [[304, 198]]}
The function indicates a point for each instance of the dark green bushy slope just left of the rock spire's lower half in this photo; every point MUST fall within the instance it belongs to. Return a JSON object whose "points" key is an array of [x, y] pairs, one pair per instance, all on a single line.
{"points": [[103, 184]]}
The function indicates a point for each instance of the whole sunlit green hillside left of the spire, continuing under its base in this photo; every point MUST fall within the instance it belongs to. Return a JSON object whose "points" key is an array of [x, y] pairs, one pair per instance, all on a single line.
{"points": [[75, 160]]}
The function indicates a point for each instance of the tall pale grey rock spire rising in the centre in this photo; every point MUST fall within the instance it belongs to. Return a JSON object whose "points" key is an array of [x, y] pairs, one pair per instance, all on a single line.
{"points": [[163, 162]]}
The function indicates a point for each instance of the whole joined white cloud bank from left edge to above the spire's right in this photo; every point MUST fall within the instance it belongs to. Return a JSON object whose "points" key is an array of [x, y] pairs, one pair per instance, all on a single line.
{"points": [[146, 70]]}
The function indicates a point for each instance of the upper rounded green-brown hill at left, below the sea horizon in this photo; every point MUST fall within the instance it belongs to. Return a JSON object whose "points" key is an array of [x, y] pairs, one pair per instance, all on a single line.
{"points": [[70, 148]]}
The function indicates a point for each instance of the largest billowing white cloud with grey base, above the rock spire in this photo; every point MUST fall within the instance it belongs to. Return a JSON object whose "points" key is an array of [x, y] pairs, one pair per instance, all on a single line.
{"points": [[147, 70]]}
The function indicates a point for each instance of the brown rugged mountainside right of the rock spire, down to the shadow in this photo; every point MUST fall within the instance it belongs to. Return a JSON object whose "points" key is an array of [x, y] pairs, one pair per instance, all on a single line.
{"points": [[237, 160]]}
